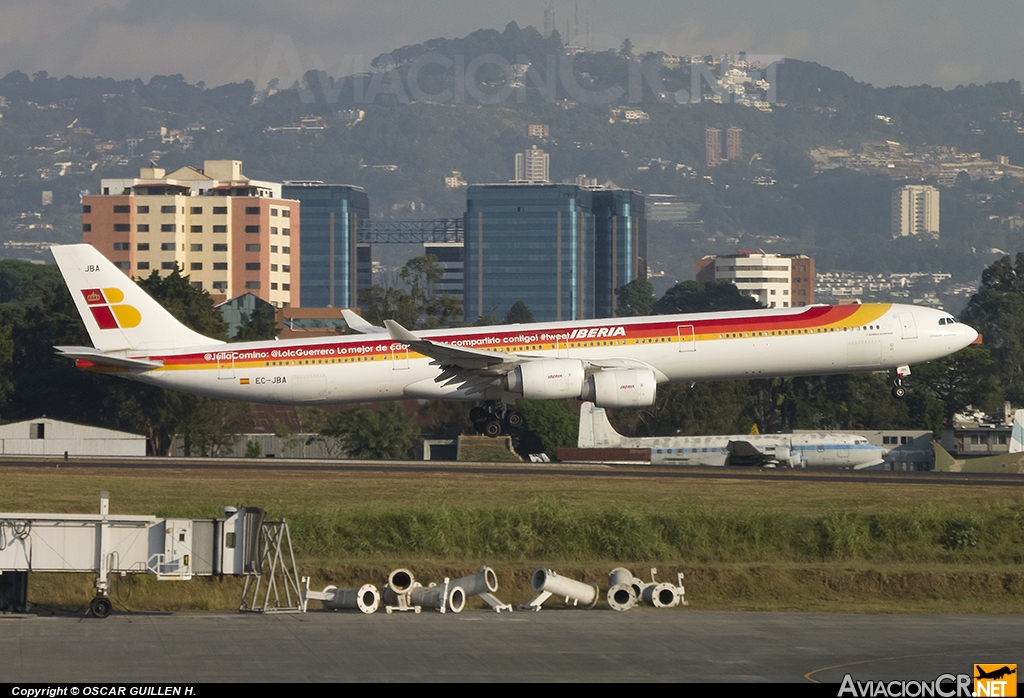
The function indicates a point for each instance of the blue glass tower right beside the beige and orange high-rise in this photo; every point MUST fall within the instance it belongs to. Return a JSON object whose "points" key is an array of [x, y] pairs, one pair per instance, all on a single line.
{"points": [[330, 259]]}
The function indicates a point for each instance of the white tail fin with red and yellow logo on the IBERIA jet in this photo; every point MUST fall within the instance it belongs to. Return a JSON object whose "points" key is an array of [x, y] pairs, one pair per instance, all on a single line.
{"points": [[118, 315]]}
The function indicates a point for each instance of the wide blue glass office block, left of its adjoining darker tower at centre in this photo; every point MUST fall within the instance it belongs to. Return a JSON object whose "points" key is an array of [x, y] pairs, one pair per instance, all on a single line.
{"points": [[530, 243]]}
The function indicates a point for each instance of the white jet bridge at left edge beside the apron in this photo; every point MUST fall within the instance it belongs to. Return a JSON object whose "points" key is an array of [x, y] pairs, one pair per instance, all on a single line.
{"points": [[105, 545]]}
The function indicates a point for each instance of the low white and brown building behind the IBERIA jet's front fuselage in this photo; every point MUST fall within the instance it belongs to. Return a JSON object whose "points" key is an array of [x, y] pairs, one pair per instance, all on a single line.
{"points": [[776, 281]]}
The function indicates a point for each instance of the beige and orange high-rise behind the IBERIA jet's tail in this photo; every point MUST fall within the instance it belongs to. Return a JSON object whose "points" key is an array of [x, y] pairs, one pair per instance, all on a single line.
{"points": [[229, 234]]}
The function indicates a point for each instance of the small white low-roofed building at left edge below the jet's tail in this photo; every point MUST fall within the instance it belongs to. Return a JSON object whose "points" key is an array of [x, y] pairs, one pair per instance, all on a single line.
{"points": [[53, 438]]}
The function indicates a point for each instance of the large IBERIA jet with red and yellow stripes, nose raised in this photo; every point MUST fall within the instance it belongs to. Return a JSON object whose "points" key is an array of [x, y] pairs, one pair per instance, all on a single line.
{"points": [[615, 363]]}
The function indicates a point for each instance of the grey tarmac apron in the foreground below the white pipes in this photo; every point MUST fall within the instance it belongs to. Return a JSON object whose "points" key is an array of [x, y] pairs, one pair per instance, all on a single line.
{"points": [[554, 645]]}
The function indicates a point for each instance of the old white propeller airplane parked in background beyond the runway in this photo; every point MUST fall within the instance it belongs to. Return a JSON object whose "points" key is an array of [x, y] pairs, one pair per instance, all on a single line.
{"points": [[809, 450]]}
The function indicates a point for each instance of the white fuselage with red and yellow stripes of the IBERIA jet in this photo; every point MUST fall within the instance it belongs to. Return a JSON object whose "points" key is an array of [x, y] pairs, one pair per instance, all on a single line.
{"points": [[815, 340]]}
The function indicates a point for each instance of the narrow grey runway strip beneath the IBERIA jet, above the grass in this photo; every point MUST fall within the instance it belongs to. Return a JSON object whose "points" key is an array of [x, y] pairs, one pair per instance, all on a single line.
{"points": [[592, 471]]}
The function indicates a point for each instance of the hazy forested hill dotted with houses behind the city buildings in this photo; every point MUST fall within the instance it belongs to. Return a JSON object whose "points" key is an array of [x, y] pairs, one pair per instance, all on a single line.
{"points": [[402, 124]]}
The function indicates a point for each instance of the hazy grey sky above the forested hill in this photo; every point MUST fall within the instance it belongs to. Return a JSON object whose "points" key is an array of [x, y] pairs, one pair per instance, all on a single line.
{"points": [[910, 42]]}
